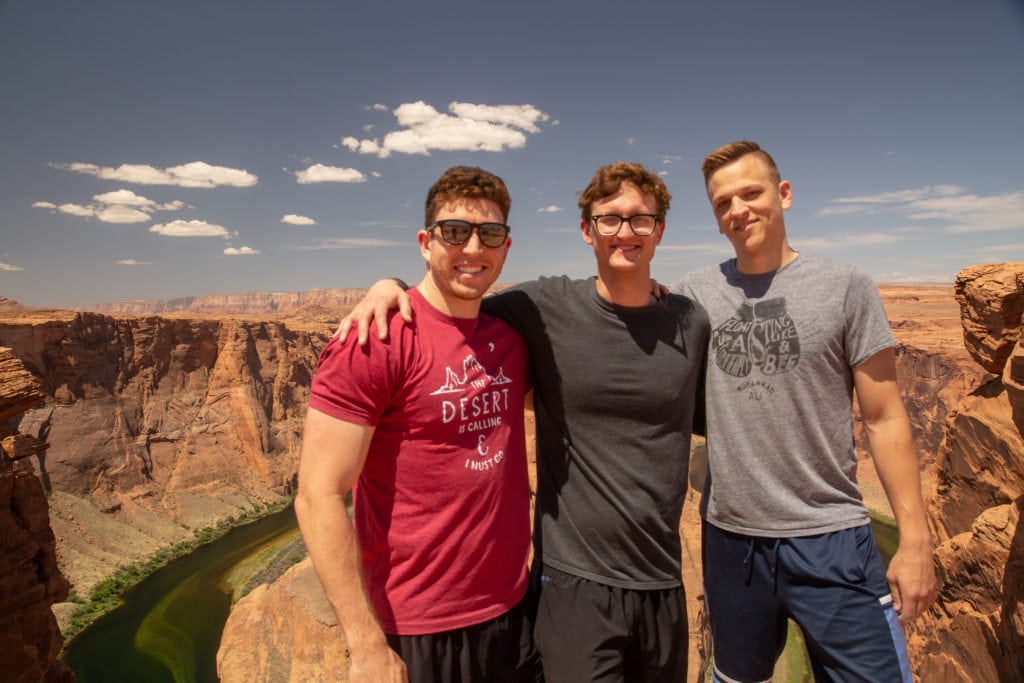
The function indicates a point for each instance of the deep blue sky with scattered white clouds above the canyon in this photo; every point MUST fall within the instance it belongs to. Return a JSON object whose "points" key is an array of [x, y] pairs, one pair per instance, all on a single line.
{"points": [[158, 150]]}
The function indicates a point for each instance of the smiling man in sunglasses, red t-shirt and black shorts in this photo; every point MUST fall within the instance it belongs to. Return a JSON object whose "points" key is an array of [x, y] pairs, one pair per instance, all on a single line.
{"points": [[426, 429]]}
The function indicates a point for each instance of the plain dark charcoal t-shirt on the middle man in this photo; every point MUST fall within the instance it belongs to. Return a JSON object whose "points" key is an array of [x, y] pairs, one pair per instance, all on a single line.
{"points": [[615, 399]]}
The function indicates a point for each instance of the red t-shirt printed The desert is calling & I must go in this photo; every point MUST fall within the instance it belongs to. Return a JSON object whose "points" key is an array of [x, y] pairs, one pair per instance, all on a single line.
{"points": [[442, 508]]}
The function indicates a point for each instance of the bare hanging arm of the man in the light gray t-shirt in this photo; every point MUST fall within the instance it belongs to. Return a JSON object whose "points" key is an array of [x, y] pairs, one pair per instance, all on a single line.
{"points": [[912, 571]]}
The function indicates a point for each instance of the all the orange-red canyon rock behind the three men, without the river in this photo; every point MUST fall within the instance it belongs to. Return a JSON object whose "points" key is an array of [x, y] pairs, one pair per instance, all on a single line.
{"points": [[153, 420]]}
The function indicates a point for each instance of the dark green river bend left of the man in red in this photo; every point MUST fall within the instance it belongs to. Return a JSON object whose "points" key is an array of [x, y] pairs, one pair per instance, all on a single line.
{"points": [[169, 627]]}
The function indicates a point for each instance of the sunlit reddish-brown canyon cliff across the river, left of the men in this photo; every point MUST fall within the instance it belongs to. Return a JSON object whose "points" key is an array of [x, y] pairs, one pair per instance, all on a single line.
{"points": [[159, 428]]}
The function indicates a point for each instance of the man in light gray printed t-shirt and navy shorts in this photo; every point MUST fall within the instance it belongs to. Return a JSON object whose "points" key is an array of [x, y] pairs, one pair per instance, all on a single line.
{"points": [[786, 530]]}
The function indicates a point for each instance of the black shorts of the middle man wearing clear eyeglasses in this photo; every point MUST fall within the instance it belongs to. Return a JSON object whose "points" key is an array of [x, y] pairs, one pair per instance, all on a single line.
{"points": [[587, 631]]}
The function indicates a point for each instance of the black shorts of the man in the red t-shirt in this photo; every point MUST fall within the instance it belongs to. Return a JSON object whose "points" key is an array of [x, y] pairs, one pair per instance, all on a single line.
{"points": [[500, 651]]}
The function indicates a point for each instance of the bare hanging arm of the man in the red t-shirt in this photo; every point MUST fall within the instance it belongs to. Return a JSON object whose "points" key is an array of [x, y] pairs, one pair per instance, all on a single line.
{"points": [[333, 455]]}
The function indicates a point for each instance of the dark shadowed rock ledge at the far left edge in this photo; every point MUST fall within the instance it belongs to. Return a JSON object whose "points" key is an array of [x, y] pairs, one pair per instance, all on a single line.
{"points": [[30, 581]]}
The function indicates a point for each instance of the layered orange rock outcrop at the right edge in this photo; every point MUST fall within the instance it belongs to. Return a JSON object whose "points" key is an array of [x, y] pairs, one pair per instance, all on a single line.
{"points": [[975, 630]]}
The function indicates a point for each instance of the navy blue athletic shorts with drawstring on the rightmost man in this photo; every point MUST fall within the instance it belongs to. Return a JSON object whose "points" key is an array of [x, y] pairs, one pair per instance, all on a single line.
{"points": [[833, 586]]}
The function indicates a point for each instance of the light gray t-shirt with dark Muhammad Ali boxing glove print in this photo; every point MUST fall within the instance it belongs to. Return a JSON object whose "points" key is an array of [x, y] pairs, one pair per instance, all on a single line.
{"points": [[781, 449]]}
